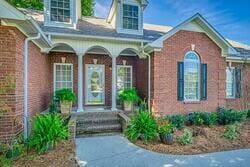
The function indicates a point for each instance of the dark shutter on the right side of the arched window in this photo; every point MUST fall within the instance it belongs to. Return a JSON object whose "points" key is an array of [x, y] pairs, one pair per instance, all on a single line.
{"points": [[203, 82]]}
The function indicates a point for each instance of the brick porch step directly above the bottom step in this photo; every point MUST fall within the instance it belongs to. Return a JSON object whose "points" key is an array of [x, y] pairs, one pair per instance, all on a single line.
{"points": [[97, 121]]}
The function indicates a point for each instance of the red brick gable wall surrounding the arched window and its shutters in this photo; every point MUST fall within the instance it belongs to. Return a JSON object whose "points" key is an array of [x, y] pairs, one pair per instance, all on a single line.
{"points": [[164, 69]]}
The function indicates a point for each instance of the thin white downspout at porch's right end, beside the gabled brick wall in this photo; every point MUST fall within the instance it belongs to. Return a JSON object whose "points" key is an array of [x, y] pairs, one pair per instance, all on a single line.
{"points": [[149, 76]]}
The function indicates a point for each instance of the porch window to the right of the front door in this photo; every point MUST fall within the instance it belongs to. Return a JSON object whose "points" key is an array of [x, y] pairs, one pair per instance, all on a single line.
{"points": [[124, 77]]}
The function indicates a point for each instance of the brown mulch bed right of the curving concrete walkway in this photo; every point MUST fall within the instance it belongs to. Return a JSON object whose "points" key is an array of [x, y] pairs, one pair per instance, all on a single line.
{"points": [[205, 140]]}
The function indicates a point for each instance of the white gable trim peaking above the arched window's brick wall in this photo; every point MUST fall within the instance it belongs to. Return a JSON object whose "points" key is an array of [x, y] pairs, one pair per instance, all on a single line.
{"points": [[217, 37]]}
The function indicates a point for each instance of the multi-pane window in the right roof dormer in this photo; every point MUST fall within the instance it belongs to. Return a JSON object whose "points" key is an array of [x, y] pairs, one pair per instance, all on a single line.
{"points": [[130, 17]]}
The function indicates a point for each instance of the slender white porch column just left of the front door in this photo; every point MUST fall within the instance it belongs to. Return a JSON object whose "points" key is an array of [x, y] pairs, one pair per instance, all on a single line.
{"points": [[80, 82]]}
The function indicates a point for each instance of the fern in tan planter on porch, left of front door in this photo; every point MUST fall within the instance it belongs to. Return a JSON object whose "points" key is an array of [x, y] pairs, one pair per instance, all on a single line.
{"points": [[66, 97]]}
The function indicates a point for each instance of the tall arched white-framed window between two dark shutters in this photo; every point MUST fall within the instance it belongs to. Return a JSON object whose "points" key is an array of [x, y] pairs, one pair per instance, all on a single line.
{"points": [[191, 77]]}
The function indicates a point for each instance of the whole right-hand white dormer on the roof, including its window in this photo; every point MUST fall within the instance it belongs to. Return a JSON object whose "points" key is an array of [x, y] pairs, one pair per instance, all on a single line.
{"points": [[126, 16]]}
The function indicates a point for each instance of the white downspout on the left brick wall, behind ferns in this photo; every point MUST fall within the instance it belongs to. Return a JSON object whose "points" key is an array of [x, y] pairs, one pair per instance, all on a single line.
{"points": [[26, 55]]}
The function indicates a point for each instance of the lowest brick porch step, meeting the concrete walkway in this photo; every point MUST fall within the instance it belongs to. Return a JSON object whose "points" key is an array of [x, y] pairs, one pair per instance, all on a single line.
{"points": [[80, 130]]}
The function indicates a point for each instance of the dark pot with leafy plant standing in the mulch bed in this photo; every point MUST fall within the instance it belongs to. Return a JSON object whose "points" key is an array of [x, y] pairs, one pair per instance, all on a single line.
{"points": [[166, 131]]}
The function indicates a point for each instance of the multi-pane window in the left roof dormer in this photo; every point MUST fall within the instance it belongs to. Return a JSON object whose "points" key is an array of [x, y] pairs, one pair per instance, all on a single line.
{"points": [[60, 10]]}
